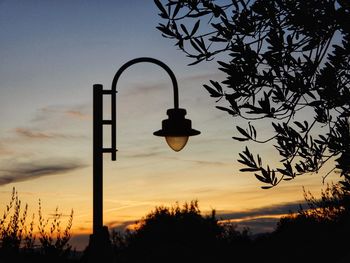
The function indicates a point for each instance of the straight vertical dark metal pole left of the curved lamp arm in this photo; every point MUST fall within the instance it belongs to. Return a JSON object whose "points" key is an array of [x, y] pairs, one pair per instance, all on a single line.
{"points": [[97, 158]]}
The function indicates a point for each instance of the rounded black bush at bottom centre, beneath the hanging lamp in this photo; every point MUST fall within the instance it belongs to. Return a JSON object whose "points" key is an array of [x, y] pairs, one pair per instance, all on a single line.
{"points": [[175, 234]]}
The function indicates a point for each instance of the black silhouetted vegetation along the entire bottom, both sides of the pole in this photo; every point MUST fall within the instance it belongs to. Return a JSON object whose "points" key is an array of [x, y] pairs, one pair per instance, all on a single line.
{"points": [[317, 233]]}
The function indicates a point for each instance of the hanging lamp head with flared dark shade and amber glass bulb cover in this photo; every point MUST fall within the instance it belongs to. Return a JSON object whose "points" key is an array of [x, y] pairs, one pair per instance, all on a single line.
{"points": [[176, 129]]}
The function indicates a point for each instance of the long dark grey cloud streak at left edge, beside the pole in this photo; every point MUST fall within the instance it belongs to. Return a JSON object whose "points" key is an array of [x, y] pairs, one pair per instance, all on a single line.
{"points": [[18, 172]]}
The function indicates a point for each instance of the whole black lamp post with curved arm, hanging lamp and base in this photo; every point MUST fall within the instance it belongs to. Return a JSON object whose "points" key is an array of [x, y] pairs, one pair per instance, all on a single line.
{"points": [[176, 130]]}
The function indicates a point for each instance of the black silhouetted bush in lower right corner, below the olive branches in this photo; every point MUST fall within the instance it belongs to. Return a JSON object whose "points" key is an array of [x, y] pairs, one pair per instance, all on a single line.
{"points": [[317, 232]]}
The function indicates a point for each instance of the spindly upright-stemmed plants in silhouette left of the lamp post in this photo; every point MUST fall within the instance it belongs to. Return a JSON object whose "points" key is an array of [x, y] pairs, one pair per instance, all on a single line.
{"points": [[20, 242]]}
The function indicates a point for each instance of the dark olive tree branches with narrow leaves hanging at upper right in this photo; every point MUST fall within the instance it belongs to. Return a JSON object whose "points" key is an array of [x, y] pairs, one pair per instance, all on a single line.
{"points": [[287, 61]]}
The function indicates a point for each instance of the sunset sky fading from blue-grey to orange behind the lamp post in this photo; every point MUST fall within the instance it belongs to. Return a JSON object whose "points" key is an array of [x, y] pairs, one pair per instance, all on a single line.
{"points": [[51, 54]]}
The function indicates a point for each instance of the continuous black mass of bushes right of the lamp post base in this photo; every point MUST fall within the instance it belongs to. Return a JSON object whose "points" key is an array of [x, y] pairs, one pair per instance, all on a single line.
{"points": [[315, 233]]}
